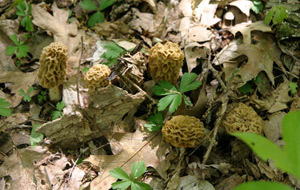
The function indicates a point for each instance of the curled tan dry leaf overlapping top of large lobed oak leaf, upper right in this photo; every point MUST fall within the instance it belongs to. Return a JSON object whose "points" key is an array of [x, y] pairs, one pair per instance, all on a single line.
{"points": [[247, 28]]}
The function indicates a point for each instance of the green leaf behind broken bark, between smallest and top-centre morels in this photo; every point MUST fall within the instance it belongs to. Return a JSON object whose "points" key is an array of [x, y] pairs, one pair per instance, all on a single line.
{"points": [[112, 53]]}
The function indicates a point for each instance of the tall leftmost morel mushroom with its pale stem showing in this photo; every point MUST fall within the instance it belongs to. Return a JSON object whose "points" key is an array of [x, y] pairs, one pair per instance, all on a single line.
{"points": [[52, 71]]}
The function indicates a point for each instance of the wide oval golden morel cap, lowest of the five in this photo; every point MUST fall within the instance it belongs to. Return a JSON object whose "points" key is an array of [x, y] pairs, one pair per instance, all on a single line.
{"points": [[183, 131]]}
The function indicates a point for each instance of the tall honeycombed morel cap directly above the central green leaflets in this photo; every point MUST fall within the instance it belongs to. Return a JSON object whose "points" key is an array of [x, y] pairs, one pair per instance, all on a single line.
{"points": [[165, 61]]}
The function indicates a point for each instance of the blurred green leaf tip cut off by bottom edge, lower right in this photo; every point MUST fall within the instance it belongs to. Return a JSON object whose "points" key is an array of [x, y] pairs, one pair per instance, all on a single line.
{"points": [[263, 185]]}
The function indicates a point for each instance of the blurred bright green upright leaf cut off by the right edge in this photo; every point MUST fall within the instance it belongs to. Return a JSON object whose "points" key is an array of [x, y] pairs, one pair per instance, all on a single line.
{"points": [[291, 136]]}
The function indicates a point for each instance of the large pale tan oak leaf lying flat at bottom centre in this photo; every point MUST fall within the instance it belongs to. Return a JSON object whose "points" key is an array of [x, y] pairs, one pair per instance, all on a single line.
{"points": [[132, 143]]}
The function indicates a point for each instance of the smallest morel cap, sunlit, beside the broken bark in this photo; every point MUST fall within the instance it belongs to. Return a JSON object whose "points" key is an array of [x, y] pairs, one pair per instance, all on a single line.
{"points": [[96, 77]]}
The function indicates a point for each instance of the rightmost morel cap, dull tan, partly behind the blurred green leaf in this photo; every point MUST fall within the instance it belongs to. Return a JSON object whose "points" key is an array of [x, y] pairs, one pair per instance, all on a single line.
{"points": [[242, 118]]}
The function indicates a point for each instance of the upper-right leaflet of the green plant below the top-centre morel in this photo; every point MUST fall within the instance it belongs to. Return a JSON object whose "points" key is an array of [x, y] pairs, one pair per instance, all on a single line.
{"points": [[186, 82]]}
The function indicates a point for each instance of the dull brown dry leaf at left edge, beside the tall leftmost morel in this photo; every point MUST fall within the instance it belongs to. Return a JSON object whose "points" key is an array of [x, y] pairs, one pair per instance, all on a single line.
{"points": [[19, 81]]}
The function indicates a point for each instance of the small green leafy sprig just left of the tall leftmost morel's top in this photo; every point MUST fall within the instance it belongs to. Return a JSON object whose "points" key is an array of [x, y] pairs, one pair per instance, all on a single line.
{"points": [[20, 49]]}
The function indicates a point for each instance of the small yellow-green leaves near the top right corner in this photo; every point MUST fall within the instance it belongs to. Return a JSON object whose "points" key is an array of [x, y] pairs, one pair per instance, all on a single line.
{"points": [[277, 14]]}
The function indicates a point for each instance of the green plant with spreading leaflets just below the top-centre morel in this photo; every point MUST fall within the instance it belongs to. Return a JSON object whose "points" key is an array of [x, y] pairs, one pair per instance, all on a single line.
{"points": [[173, 96]]}
